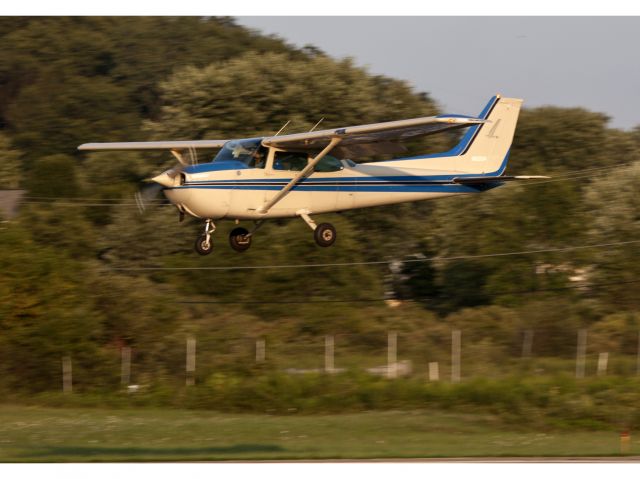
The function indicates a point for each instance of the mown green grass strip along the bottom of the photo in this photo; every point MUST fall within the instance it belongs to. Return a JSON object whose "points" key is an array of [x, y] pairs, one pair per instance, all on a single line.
{"points": [[29, 434]]}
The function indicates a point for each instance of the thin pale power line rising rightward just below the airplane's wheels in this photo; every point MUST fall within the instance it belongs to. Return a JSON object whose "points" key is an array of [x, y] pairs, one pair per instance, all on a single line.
{"points": [[373, 263]]}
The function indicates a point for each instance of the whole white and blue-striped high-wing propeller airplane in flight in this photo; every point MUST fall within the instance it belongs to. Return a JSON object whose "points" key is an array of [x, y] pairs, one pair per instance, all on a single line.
{"points": [[306, 174]]}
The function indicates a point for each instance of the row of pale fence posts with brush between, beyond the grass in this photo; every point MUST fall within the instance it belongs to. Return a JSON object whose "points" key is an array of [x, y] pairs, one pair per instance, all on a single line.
{"points": [[463, 359]]}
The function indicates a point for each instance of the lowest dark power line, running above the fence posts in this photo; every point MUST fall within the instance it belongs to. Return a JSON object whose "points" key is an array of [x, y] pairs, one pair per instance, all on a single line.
{"points": [[415, 300]]}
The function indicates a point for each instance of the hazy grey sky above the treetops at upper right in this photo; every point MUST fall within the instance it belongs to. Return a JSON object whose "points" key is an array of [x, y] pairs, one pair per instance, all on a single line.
{"points": [[593, 62]]}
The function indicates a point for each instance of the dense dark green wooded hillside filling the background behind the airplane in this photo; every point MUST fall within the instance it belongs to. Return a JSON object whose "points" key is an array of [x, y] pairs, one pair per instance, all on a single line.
{"points": [[66, 284]]}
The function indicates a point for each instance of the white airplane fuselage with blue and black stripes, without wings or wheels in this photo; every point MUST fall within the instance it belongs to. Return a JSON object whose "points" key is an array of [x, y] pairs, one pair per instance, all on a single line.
{"points": [[205, 191]]}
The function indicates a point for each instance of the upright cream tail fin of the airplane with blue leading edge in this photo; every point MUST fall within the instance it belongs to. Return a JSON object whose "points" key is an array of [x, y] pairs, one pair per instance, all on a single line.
{"points": [[485, 148]]}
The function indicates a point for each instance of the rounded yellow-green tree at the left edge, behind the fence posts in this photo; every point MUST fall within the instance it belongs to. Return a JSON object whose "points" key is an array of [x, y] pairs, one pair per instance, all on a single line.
{"points": [[45, 314]]}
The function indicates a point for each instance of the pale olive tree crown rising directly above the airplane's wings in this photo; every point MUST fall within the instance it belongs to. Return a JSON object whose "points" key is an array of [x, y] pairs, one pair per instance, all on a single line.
{"points": [[257, 93]]}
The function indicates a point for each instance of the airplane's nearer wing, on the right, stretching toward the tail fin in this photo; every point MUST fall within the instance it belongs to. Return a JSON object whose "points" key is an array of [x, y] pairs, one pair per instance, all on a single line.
{"points": [[371, 139]]}
